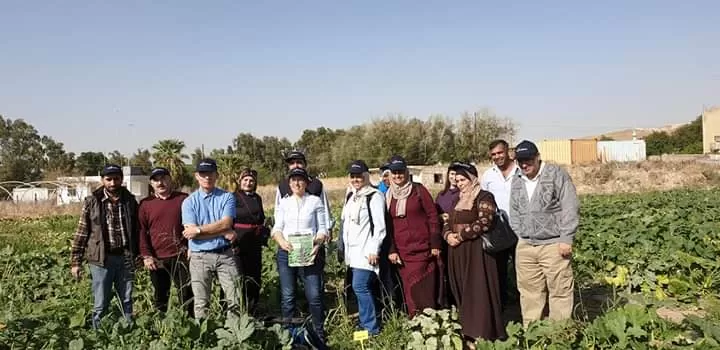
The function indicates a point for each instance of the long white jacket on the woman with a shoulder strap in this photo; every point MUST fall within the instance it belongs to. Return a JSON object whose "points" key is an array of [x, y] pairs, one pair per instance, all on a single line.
{"points": [[358, 241]]}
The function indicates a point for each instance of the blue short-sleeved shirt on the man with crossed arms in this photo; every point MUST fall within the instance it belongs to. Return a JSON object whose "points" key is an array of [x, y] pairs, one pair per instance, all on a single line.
{"points": [[202, 208]]}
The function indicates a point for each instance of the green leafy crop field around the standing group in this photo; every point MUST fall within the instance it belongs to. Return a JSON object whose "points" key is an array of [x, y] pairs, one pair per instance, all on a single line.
{"points": [[634, 255]]}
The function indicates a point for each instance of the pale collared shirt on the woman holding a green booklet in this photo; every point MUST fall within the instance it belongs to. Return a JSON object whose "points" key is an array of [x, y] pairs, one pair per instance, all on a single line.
{"points": [[303, 215]]}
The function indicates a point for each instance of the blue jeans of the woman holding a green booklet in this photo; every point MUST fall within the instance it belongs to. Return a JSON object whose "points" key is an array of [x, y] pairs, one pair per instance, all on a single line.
{"points": [[312, 281]]}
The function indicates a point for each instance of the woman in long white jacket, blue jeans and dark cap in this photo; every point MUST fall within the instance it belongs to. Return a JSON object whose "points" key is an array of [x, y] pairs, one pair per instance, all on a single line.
{"points": [[363, 231]]}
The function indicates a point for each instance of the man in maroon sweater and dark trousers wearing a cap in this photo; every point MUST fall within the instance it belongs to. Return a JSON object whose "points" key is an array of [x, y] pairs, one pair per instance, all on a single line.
{"points": [[162, 244]]}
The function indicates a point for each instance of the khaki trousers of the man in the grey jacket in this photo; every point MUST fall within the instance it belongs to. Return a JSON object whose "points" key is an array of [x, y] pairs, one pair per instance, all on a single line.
{"points": [[542, 274]]}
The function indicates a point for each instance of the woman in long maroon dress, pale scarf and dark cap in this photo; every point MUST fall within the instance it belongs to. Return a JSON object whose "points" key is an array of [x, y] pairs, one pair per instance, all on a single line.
{"points": [[415, 239]]}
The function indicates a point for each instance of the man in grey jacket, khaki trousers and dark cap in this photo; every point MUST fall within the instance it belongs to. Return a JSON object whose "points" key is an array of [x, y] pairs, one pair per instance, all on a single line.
{"points": [[544, 213]]}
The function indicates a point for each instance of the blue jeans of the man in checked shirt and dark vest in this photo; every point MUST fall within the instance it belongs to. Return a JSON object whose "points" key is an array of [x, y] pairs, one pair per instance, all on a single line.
{"points": [[117, 272]]}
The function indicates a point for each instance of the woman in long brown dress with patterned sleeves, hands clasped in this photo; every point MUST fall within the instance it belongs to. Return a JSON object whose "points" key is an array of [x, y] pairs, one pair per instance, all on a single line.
{"points": [[474, 280]]}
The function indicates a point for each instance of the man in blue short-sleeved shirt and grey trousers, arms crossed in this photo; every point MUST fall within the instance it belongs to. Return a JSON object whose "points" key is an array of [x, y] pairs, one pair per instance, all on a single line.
{"points": [[207, 215]]}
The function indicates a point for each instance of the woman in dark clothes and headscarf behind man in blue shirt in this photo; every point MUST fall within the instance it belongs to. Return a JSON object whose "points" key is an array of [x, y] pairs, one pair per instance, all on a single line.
{"points": [[251, 233]]}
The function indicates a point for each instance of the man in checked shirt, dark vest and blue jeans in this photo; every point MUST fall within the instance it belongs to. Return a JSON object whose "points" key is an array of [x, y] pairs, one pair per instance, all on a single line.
{"points": [[107, 238]]}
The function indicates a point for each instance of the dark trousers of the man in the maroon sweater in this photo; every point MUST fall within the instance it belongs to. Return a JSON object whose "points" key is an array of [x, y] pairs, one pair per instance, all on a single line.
{"points": [[172, 271]]}
